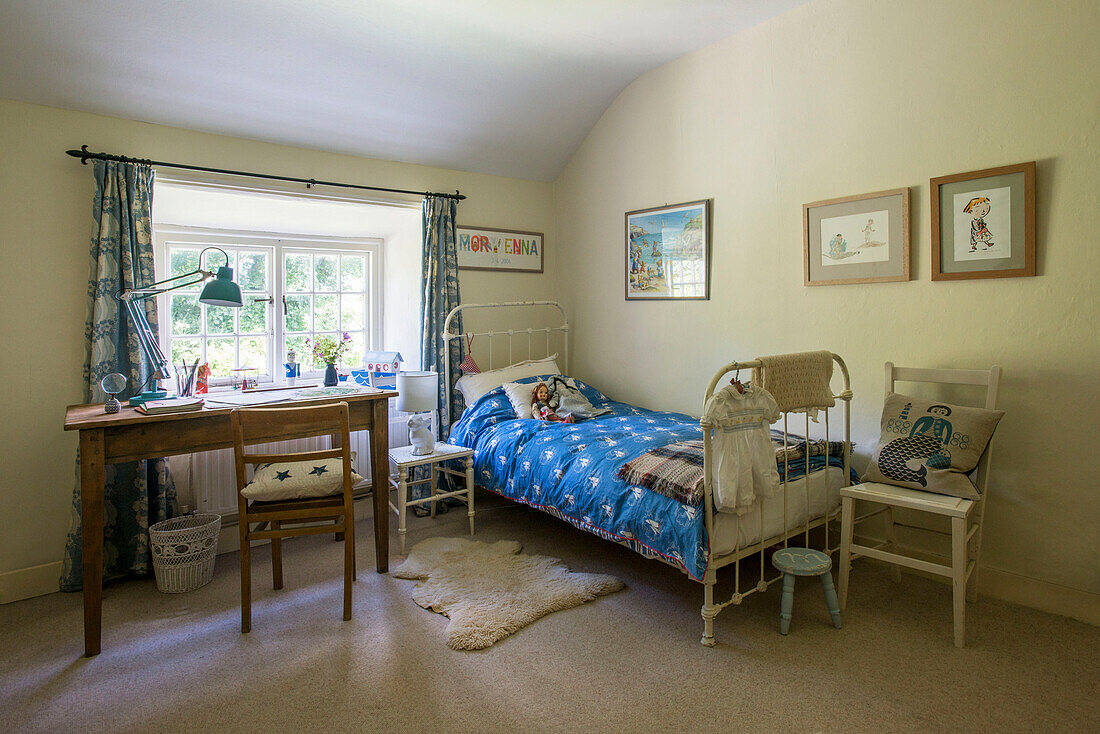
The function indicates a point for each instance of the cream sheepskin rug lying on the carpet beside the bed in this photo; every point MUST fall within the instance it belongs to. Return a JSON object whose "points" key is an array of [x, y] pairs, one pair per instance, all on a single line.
{"points": [[489, 591]]}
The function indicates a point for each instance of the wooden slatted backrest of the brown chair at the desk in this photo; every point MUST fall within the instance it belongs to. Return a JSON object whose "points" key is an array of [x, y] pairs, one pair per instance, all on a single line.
{"points": [[262, 425]]}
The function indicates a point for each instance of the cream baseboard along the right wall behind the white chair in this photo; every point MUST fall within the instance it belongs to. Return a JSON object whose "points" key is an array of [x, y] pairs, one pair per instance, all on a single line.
{"points": [[1009, 587]]}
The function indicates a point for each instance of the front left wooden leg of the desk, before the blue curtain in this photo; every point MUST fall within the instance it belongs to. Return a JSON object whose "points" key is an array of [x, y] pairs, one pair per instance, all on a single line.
{"points": [[93, 477]]}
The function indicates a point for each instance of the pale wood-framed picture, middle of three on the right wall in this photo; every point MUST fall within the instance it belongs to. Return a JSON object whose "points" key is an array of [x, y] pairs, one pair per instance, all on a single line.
{"points": [[856, 239]]}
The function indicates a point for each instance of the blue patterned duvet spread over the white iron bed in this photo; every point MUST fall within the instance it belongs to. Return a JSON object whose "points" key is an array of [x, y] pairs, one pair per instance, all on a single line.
{"points": [[569, 472]]}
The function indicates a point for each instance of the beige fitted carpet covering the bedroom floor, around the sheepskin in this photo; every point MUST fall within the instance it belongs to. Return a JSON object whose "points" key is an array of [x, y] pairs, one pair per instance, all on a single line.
{"points": [[630, 662]]}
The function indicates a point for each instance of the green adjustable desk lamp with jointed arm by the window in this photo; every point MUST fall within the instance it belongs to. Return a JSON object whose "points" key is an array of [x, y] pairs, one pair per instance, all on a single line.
{"points": [[219, 291]]}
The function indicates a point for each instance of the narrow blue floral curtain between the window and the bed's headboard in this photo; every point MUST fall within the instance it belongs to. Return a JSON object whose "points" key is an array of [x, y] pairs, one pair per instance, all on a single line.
{"points": [[439, 290]]}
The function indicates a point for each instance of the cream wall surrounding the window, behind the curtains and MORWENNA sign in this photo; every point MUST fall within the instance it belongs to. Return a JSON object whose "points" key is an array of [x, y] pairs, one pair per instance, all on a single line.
{"points": [[46, 207]]}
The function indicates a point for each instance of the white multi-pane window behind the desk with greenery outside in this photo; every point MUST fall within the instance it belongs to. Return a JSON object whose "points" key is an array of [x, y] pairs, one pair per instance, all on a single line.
{"points": [[294, 290]]}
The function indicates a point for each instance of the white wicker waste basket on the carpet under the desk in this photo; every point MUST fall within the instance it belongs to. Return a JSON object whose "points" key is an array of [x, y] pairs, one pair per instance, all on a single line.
{"points": [[184, 552]]}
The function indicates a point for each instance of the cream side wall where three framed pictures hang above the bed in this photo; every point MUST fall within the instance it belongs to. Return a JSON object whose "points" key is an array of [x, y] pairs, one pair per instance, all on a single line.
{"points": [[842, 97]]}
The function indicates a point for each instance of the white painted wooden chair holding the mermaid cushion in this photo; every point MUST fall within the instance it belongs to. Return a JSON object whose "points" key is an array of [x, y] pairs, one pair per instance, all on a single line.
{"points": [[966, 535]]}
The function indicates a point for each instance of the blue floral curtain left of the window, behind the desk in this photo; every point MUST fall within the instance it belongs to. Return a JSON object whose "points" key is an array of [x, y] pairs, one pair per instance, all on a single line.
{"points": [[139, 494]]}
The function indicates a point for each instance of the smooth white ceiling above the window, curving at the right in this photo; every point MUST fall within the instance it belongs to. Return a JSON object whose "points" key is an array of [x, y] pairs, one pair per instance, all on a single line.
{"points": [[508, 87]]}
